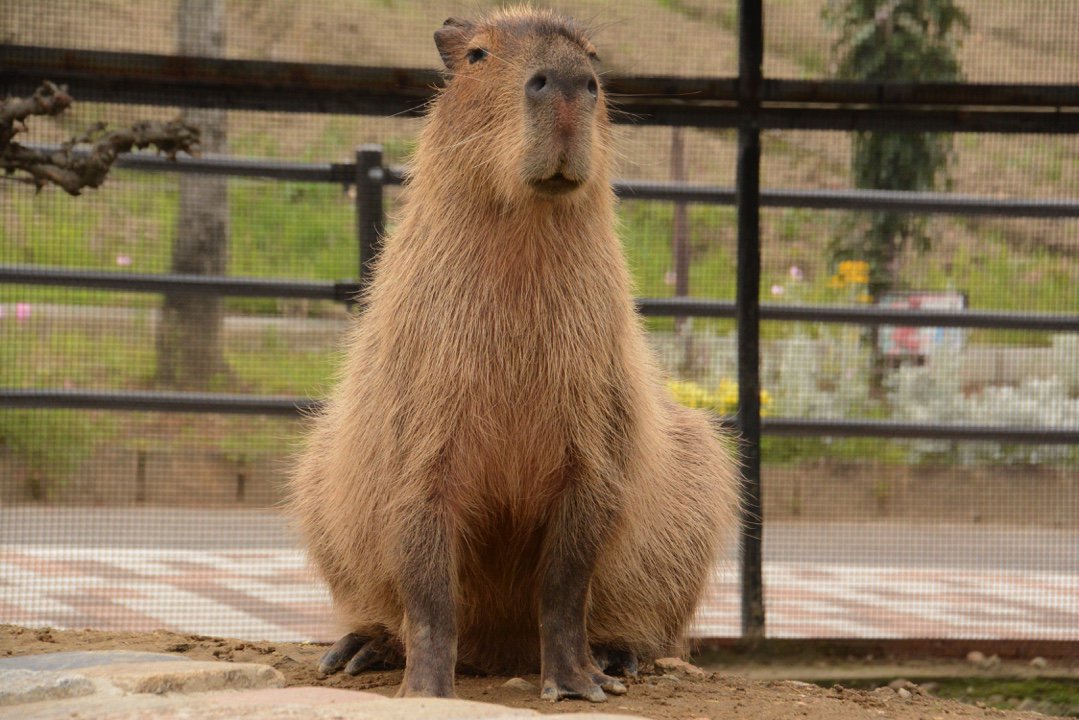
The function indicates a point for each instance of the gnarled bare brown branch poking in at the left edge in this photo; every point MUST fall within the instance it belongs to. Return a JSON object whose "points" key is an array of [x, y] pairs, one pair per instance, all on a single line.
{"points": [[71, 171]]}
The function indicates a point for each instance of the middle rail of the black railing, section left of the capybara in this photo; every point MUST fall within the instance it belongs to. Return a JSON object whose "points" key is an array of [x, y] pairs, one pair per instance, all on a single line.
{"points": [[154, 283]]}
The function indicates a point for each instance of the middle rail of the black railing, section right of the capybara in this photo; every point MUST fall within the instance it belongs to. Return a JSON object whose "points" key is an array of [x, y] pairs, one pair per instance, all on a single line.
{"points": [[864, 316]]}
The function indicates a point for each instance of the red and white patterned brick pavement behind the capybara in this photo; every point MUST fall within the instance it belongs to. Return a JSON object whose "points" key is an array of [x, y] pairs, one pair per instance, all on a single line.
{"points": [[269, 594]]}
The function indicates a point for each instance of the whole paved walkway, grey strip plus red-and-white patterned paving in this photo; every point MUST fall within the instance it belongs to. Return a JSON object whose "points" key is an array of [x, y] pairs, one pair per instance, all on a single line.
{"points": [[821, 581]]}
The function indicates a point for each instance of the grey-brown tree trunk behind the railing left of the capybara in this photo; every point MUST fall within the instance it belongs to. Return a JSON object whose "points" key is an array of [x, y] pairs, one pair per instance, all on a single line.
{"points": [[190, 348]]}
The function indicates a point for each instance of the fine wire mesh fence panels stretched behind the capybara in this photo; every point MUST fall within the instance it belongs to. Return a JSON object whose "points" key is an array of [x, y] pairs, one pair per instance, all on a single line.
{"points": [[142, 520]]}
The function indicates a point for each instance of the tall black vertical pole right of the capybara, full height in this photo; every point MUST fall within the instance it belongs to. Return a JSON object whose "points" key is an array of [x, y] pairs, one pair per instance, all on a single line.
{"points": [[750, 59]]}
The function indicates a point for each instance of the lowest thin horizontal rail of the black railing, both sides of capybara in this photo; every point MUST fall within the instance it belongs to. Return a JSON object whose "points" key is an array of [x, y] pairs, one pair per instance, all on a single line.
{"points": [[224, 403]]}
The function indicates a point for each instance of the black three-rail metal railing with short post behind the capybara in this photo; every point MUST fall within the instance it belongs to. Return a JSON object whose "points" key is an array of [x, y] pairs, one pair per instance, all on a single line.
{"points": [[371, 176]]}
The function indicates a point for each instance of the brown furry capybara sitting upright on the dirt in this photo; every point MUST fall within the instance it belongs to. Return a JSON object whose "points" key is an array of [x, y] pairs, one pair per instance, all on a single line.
{"points": [[501, 479]]}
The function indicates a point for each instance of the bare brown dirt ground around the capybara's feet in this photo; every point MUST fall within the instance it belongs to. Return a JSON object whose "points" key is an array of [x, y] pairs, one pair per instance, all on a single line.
{"points": [[727, 691]]}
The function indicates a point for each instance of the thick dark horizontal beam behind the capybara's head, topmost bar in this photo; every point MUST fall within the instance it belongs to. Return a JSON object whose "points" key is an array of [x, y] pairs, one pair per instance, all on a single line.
{"points": [[181, 81]]}
